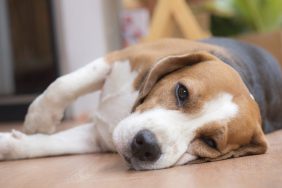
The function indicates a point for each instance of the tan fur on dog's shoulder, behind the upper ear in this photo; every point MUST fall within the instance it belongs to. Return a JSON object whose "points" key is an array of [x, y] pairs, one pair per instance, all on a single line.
{"points": [[144, 55]]}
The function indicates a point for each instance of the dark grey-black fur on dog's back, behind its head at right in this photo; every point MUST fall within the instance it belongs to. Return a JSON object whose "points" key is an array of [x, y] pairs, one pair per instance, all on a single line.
{"points": [[261, 74]]}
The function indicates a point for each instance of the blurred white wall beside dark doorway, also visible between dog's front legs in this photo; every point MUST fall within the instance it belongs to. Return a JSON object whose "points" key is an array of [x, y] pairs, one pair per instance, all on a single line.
{"points": [[85, 32]]}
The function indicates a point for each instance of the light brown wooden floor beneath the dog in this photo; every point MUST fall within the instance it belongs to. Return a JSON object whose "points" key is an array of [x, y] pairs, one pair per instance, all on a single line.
{"points": [[108, 170]]}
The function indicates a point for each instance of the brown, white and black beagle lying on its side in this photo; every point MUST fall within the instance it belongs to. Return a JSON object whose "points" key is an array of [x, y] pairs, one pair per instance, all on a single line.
{"points": [[162, 104]]}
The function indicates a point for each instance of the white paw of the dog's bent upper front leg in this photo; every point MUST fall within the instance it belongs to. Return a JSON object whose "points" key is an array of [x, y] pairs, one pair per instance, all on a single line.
{"points": [[41, 118]]}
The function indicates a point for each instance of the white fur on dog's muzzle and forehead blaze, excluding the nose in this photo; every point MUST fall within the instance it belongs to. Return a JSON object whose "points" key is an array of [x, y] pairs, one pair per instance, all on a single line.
{"points": [[174, 130]]}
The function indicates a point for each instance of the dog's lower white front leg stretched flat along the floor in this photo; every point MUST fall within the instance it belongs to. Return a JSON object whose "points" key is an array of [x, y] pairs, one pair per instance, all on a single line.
{"points": [[78, 140]]}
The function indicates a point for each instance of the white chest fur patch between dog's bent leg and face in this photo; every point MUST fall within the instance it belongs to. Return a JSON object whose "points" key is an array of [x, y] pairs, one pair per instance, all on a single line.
{"points": [[117, 99]]}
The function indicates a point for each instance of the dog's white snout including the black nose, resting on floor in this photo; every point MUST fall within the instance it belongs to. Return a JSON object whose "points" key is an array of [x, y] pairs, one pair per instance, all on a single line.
{"points": [[148, 139]]}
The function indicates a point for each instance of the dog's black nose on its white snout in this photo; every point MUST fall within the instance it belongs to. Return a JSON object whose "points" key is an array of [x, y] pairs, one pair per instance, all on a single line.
{"points": [[144, 146]]}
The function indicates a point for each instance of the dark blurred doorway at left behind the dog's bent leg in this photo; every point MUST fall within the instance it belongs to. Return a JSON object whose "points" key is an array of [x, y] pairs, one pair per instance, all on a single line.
{"points": [[28, 62]]}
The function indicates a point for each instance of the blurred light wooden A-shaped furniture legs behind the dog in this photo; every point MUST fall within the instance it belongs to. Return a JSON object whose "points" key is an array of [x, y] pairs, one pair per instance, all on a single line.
{"points": [[169, 14]]}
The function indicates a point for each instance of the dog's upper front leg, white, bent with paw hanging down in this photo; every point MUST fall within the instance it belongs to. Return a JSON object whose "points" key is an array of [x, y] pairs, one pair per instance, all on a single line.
{"points": [[47, 110]]}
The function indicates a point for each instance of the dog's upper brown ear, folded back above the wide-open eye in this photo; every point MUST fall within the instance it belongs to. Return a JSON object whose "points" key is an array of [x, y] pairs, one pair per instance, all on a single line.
{"points": [[167, 65]]}
